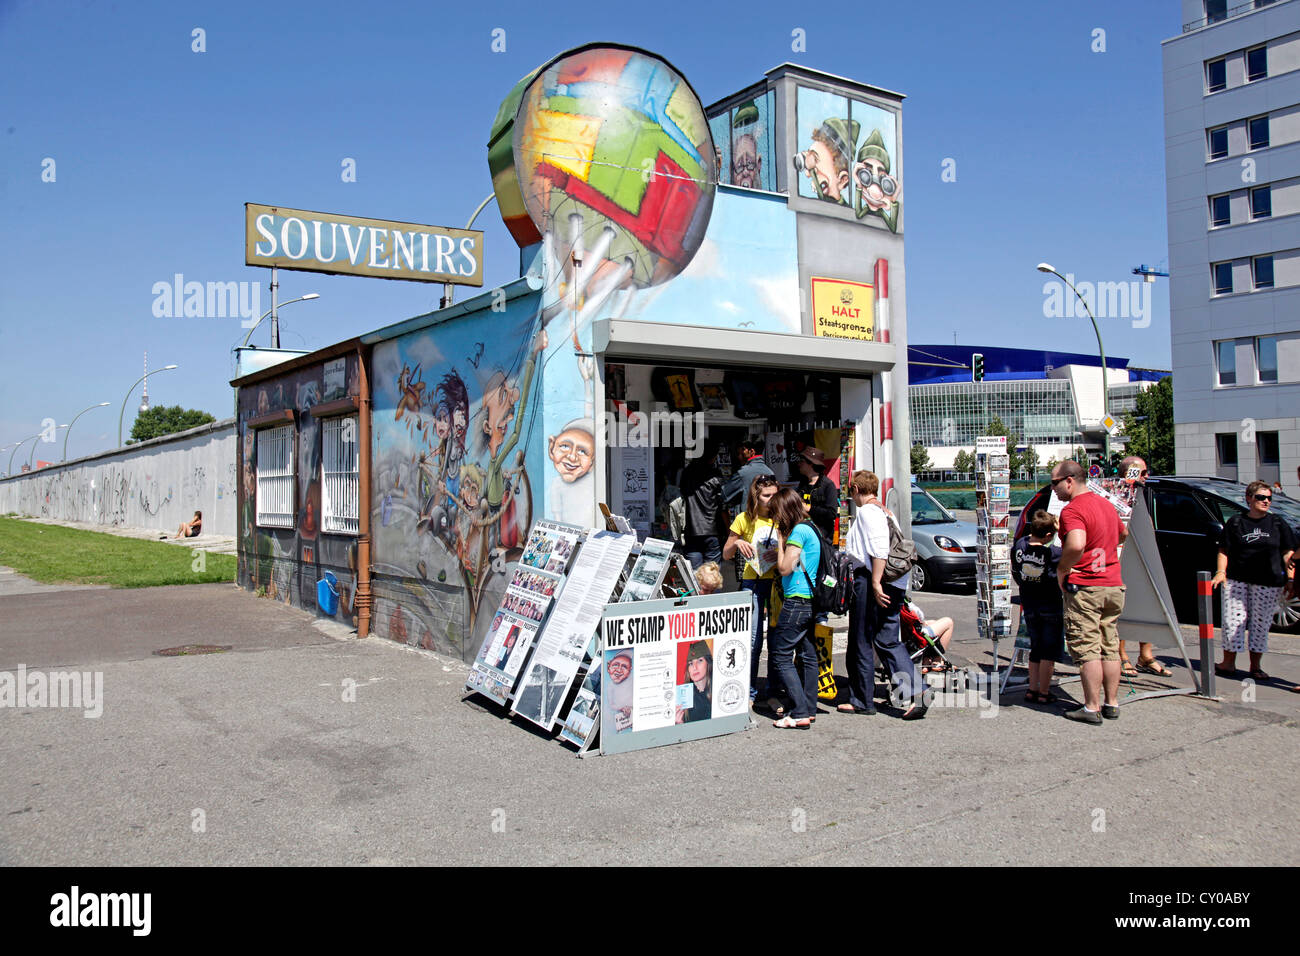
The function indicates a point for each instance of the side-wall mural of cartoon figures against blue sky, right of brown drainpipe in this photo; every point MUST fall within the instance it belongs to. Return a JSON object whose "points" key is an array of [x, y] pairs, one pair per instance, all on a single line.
{"points": [[458, 443]]}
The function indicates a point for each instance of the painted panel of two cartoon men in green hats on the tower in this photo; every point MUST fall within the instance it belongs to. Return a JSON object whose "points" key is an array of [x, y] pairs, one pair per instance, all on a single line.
{"points": [[848, 155]]}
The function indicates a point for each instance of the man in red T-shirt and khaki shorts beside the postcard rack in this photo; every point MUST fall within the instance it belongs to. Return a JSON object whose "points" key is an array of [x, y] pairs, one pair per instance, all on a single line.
{"points": [[1094, 591]]}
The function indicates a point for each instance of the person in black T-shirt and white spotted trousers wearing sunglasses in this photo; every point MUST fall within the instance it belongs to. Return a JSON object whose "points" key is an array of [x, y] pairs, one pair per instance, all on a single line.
{"points": [[1255, 563]]}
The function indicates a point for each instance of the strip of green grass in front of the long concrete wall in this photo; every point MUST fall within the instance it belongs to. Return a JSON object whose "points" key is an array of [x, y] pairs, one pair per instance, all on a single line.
{"points": [[53, 555]]}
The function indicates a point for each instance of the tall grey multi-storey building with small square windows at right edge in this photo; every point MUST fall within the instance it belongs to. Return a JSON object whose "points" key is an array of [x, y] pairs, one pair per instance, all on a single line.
{"points": [[1233, 172]]}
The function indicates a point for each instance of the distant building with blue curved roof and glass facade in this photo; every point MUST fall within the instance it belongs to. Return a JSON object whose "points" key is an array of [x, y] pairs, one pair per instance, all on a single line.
{"points": [[1051, 400]]}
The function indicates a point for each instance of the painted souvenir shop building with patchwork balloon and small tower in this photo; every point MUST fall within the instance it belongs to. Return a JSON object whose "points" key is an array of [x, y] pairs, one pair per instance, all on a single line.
{"points": [[691, 276]]}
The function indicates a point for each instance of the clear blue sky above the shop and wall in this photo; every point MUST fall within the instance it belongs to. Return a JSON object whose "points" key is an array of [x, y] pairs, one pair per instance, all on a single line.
{"points": [[1059, 157]]}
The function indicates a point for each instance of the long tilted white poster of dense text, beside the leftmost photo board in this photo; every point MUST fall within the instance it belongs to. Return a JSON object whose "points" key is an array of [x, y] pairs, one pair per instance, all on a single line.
{"points": [[564, 644]]}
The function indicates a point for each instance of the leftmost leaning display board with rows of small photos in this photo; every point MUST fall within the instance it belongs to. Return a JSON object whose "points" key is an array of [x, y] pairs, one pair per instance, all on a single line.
{"points": [[513, 633]]}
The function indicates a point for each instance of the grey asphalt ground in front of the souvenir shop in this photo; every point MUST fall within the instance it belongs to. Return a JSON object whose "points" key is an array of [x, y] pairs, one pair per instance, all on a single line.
{"points": [[300, 747]]}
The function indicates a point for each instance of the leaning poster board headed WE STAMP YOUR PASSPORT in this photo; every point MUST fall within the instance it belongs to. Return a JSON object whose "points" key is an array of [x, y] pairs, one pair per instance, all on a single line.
{"points": [[649, 667]]}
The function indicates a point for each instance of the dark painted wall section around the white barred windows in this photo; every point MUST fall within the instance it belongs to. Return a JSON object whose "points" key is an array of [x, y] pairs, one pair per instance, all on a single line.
{"points": [[287, 564]]}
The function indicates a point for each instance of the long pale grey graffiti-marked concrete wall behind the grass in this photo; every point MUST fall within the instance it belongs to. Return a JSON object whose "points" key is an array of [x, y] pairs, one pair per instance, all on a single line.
{"points": [[154, 485]]}
